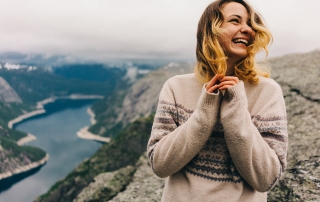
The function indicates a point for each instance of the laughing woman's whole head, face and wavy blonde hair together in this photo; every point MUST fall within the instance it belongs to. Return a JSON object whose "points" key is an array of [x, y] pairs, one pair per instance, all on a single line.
{"points": [[226, 42]]}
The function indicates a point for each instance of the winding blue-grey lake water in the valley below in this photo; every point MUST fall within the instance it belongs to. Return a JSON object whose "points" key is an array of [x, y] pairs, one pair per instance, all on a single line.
{"points": [[56, 134]]}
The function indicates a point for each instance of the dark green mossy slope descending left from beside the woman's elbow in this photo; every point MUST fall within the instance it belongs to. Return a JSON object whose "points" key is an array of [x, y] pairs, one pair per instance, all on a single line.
{"points": [[128, 146]]}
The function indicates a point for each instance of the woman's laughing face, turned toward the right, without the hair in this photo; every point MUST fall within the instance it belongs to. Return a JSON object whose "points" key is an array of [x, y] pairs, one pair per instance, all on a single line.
{"points": [[238, 33]]}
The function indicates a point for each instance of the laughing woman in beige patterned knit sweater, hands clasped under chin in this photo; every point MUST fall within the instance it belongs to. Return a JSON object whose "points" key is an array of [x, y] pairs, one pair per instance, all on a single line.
{"points": [[220, 134]]}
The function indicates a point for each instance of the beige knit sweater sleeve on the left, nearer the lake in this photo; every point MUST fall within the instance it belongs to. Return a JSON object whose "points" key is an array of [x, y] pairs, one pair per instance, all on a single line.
{"points": [[171, 146]]}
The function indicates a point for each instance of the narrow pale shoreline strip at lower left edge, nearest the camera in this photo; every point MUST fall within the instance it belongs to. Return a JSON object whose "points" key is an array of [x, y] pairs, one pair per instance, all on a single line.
{"points": [[25, 168]]}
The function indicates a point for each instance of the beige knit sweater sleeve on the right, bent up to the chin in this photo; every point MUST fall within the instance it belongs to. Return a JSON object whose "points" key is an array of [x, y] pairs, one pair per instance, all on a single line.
{"points": [[257, 144]]}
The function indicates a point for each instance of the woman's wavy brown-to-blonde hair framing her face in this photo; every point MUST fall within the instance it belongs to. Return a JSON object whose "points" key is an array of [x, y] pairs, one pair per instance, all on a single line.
{"points": [[211, 58]]}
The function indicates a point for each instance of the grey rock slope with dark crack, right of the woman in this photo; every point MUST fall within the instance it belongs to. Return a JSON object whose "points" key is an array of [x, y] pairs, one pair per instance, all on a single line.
{"points": [[298, 76]]}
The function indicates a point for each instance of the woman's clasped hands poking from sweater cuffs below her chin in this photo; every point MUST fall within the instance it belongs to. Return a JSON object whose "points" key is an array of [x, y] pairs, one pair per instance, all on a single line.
{"points": [[220, 82]]}
